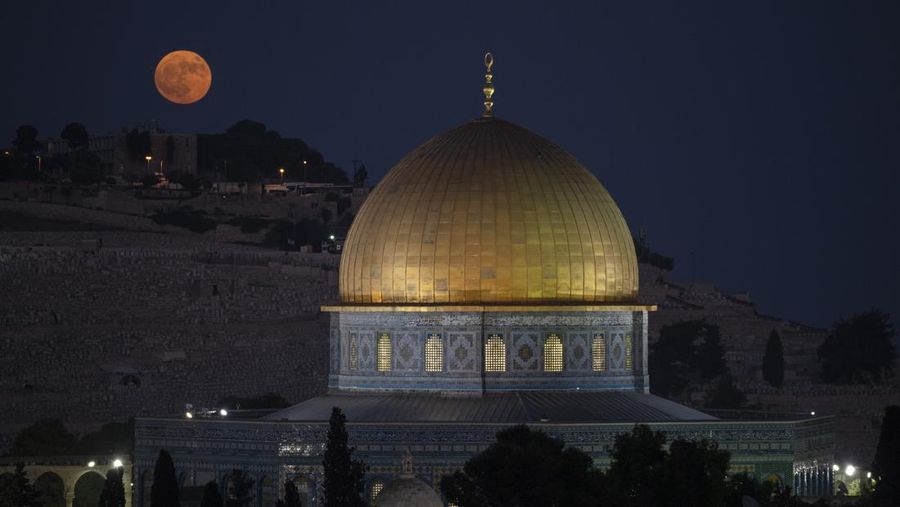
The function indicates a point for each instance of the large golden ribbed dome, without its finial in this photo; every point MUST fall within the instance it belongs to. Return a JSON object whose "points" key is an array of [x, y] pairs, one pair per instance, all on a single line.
{"points": [[488, 213]]}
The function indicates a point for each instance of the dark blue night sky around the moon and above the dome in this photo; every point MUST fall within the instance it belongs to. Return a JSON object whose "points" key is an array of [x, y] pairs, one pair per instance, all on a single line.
{"points": [[760, 139]]}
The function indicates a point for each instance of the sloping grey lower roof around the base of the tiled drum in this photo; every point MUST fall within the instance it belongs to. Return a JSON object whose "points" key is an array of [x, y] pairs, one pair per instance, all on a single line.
{"points": [[523, 407]]}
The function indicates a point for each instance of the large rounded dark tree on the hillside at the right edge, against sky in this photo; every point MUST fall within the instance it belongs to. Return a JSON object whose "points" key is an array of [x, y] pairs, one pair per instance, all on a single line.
{"points": [[859, 349]]}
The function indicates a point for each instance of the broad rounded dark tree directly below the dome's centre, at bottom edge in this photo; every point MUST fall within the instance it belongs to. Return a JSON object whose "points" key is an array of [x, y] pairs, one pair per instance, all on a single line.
{"points": [[527, 468]]}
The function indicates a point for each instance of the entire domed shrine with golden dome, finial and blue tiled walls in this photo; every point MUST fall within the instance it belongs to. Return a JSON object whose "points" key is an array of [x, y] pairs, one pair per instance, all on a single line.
{"points": [[488, 280]]}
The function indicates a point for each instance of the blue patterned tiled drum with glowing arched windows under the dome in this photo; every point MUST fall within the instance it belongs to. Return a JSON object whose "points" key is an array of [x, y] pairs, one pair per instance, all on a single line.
{"points": [[488, 351]]}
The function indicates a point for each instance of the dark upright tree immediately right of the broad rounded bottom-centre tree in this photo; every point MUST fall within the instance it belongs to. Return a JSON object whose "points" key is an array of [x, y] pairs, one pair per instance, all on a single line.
{"points": [[637, 464]]}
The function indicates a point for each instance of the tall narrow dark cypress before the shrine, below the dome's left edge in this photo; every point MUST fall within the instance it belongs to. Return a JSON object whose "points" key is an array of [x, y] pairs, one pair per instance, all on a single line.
{"points": [[343, 481]]}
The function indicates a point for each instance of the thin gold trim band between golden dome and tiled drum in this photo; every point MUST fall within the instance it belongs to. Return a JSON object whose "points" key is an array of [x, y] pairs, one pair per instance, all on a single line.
{"points": [[488, 308]]}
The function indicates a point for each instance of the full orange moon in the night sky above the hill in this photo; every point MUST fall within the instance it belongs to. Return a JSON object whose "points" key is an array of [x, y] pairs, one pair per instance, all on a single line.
{"points": [[182, 77]]}
